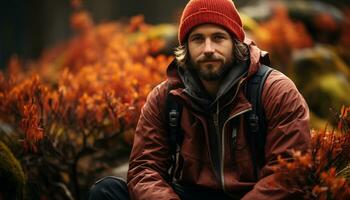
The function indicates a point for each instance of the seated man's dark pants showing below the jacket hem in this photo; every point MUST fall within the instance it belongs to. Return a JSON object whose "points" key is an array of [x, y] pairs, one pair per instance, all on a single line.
{"points": [[113, 188]]}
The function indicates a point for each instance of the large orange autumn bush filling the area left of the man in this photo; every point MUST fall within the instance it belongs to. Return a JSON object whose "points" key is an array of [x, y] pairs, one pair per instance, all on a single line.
{"points": [[77, 101]]}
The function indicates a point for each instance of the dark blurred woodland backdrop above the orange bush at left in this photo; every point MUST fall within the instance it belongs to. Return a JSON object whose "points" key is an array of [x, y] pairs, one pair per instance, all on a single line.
{"points": [[29, 26]]}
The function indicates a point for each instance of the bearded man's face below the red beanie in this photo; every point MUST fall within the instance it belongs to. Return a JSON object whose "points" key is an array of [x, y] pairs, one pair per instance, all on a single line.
{"points": [[210, 48]]}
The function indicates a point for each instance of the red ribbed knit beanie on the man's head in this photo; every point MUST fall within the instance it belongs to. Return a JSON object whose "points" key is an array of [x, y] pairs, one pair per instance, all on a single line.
{"points": [[220, 12]]}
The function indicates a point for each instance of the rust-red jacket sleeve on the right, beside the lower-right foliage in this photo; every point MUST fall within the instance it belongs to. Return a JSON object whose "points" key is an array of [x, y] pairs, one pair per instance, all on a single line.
{"points": [[288, 128]]}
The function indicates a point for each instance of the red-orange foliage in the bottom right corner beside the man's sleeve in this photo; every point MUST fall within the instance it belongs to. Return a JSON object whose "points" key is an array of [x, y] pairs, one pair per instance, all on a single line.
{"points": [[324, 172]]}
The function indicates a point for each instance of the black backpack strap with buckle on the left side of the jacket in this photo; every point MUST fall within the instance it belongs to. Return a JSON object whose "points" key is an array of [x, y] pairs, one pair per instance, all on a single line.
{"points": [[175, 139]]}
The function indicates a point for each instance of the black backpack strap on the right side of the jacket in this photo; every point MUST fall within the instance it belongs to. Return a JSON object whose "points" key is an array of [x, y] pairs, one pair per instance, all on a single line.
{"points": [[256, 119]]}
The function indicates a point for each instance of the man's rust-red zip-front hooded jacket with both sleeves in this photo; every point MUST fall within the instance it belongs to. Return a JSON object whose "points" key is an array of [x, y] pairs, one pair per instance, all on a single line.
{"points": [[288, 128]]}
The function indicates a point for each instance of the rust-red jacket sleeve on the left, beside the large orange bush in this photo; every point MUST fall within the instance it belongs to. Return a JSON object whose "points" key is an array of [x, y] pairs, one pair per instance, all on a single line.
{"points": [[149, 158]]}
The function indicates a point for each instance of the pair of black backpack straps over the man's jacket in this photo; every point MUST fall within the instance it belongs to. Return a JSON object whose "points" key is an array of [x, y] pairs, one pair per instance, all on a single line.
{"points": [[256, 122]]}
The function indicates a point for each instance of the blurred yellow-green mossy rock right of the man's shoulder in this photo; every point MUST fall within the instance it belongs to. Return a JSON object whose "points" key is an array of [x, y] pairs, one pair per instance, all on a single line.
{"points": [[324, 80]]}
